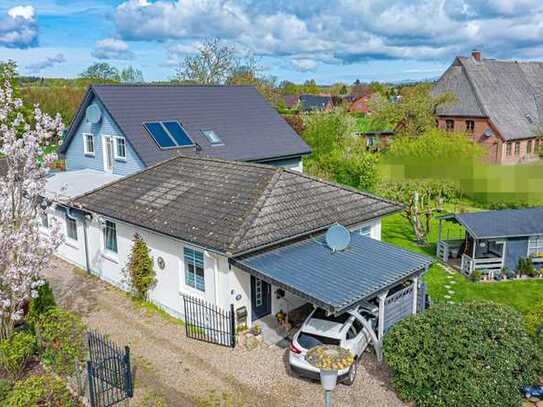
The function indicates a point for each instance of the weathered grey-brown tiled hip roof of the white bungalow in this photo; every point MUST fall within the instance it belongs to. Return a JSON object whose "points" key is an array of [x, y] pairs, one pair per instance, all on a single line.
{"points": [[231, 207]]}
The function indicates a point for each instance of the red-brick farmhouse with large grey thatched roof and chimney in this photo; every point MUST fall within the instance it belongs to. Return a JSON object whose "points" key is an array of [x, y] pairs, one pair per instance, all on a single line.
{"points": [[498, 102]]}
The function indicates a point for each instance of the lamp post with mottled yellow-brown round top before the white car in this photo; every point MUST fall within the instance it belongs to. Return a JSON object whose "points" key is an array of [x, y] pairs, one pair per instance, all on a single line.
{"points": [[329, 359]]}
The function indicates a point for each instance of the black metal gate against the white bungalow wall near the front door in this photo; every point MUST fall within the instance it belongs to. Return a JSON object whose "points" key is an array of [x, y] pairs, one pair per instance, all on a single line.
{"points": [[207, 322]]}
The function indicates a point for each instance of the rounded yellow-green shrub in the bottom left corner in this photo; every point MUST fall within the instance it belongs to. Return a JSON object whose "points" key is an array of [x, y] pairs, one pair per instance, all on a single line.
{"points": [[44, 390]]}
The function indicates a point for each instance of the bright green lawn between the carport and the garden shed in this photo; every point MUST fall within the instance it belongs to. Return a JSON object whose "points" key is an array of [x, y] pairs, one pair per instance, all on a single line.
{"points": [[521, 295]]}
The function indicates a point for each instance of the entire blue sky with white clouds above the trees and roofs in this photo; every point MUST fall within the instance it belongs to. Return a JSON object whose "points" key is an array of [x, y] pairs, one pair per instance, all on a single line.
{"points": [[328, 40]]}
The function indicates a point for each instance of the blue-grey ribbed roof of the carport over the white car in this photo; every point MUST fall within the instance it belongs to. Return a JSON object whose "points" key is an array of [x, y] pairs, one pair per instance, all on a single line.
{"points": [[336, 281]]}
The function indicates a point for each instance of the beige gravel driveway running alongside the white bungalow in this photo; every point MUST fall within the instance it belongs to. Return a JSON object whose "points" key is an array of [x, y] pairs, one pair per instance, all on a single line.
{"points": [[173, 370]]}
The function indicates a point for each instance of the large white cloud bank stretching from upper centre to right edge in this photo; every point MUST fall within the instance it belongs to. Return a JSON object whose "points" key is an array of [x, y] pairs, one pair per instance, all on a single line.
{"points": [[341, 31]]}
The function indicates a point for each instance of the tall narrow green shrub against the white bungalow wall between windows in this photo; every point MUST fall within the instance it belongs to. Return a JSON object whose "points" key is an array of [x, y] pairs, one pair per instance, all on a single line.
{"points": [[140, 269]]}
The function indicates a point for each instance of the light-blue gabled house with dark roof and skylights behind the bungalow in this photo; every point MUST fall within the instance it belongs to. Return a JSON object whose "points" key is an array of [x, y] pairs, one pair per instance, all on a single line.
{"points": [[121, 129]]}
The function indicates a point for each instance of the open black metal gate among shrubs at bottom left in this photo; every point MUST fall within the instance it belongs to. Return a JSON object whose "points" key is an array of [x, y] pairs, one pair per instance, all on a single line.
{"points": [[108, 371]]}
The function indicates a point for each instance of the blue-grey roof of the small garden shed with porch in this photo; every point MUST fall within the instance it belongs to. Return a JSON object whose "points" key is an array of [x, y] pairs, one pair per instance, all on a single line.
{"points": [[504, 223]]}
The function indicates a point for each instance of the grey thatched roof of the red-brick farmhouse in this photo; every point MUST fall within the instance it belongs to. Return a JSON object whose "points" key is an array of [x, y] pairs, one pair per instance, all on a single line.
{"points": [[509, 93]]}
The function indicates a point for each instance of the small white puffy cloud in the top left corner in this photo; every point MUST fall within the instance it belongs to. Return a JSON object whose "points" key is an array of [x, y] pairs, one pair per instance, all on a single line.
{"points": [[19, 29]]}
